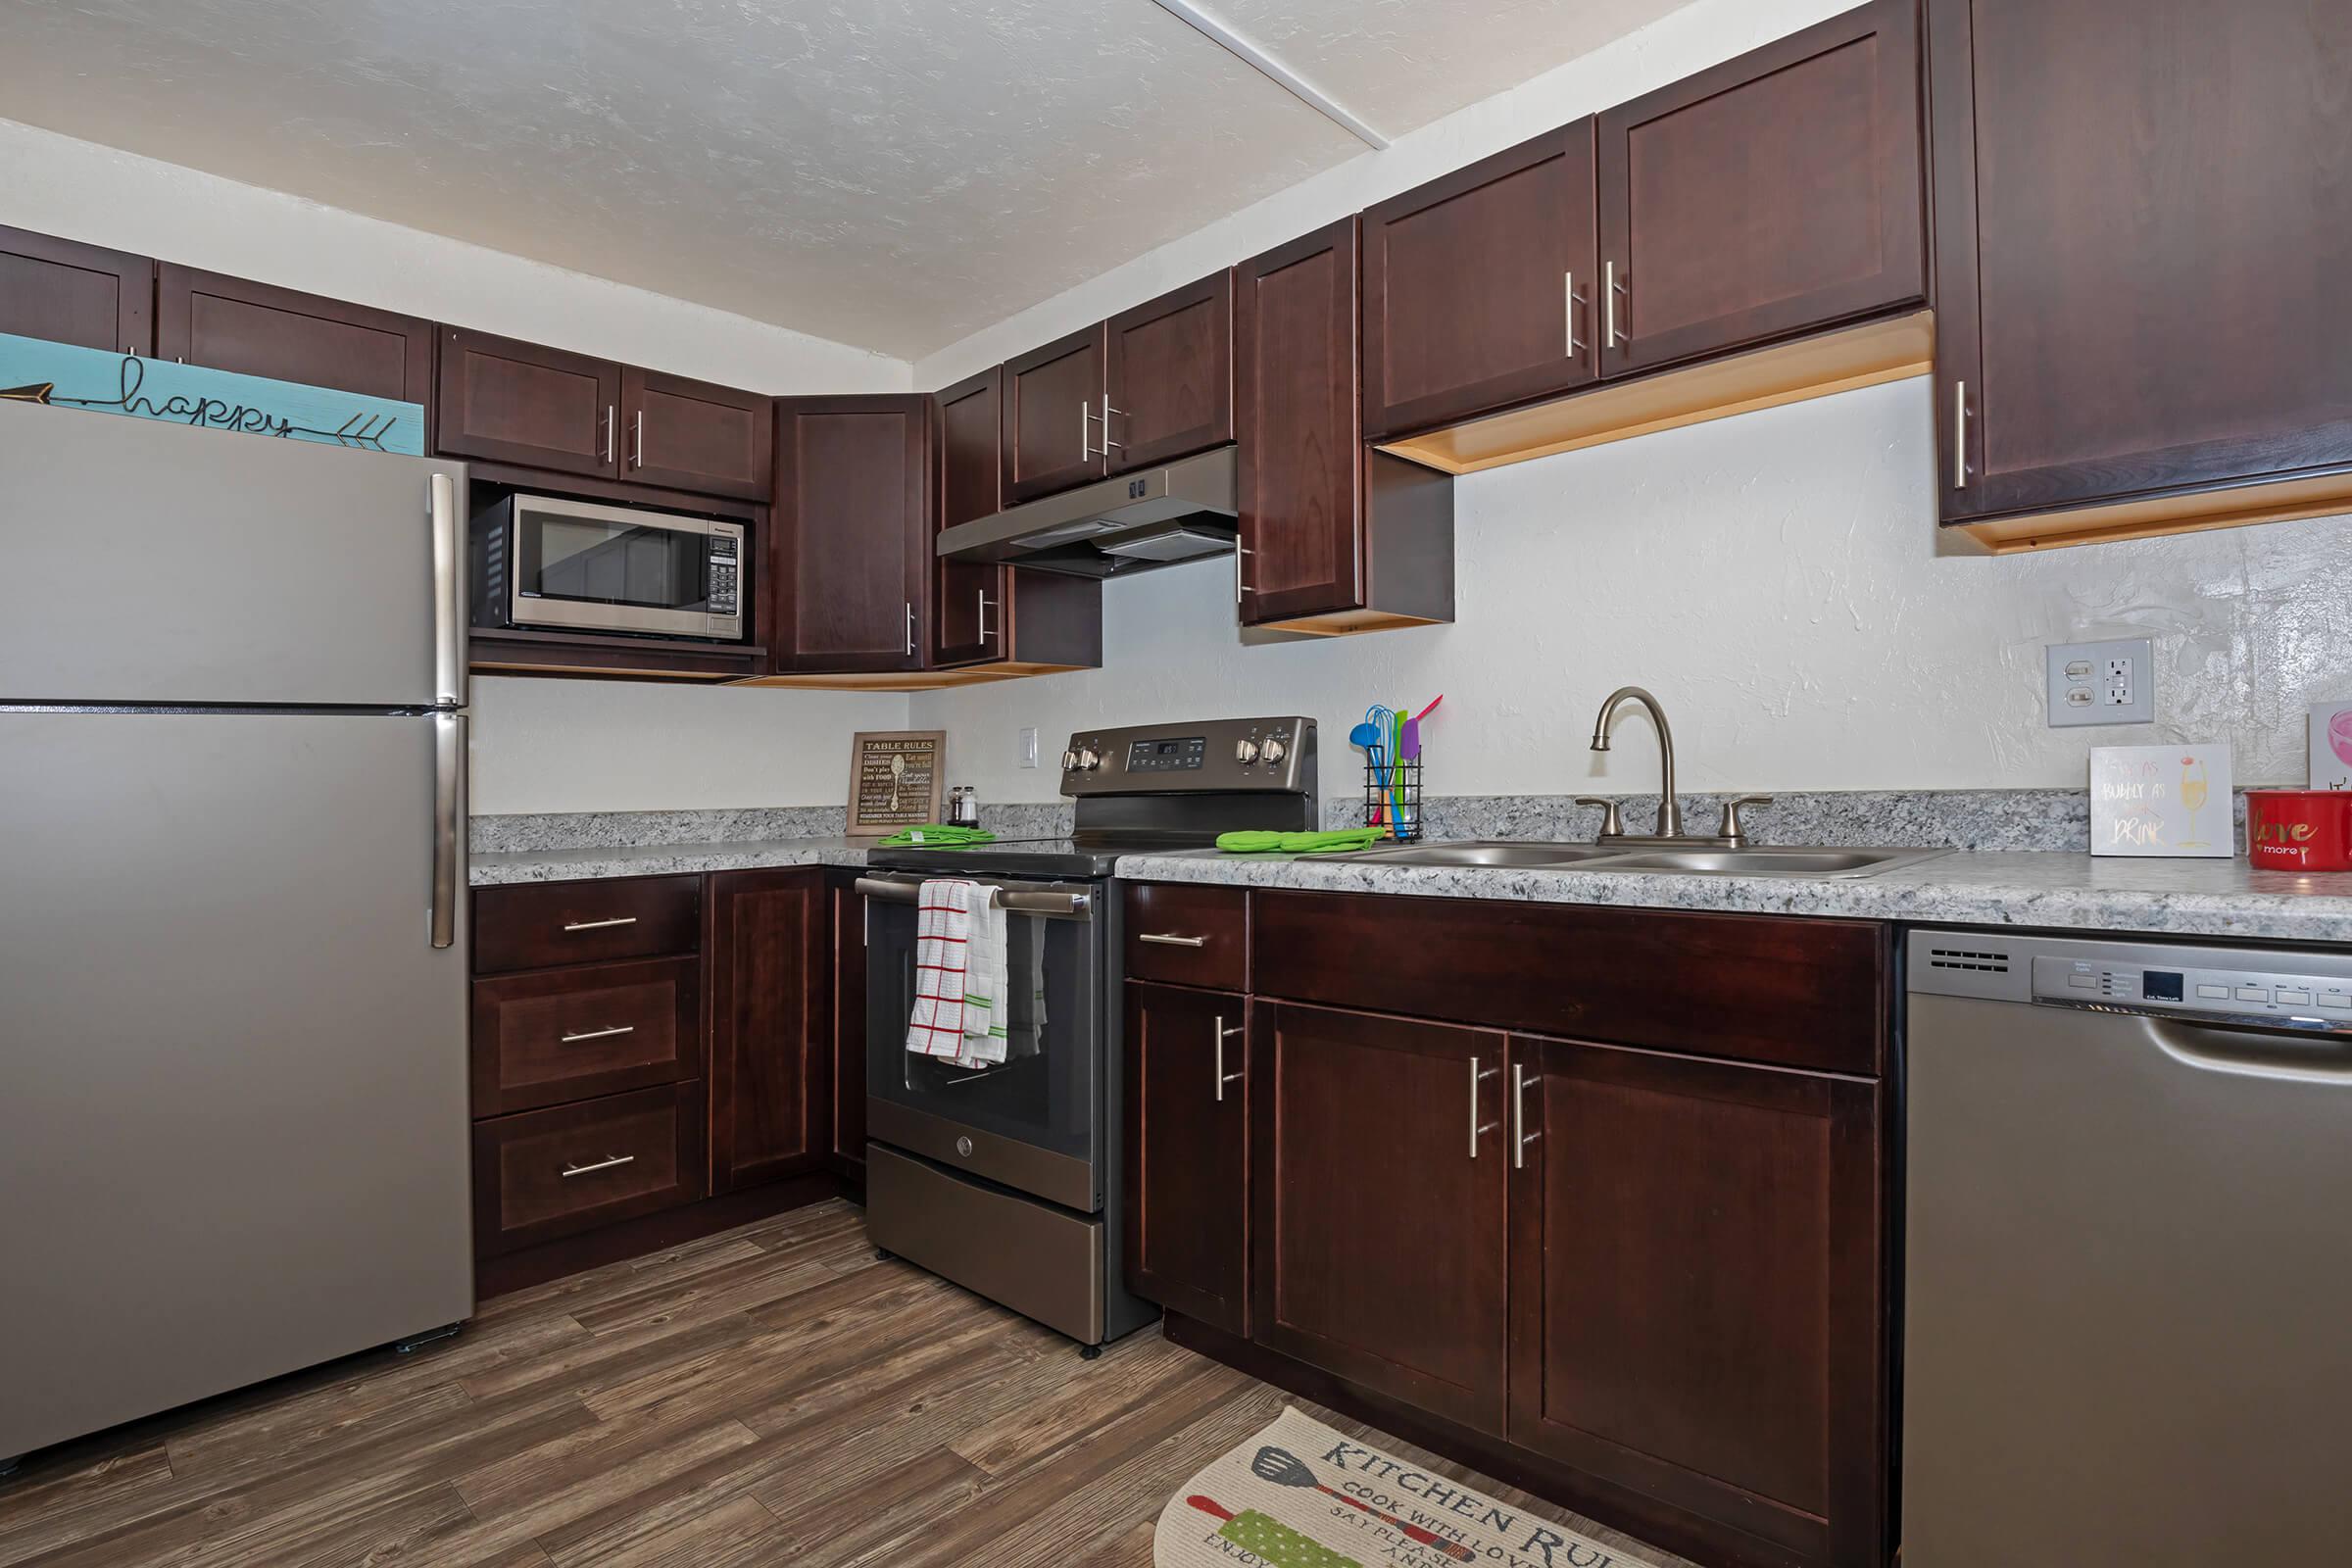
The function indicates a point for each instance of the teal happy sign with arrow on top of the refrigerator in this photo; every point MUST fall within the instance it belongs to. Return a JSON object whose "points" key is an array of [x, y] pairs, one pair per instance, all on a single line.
{"points": [[69, 377]]}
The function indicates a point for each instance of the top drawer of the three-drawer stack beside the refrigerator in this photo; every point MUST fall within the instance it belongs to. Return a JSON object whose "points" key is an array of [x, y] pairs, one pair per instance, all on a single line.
{"points": [[540, 925]]}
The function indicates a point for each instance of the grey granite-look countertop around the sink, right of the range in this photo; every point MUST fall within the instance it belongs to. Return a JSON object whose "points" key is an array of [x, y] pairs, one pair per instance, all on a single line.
{"points": [[2052, 890]]}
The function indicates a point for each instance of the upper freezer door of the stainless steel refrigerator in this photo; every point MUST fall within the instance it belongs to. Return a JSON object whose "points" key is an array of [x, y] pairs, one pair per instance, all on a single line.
{"points": [[156, 563]]}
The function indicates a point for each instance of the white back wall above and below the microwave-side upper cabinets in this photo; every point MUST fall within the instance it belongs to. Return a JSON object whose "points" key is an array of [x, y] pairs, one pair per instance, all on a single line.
{"points": [[537, 744]]}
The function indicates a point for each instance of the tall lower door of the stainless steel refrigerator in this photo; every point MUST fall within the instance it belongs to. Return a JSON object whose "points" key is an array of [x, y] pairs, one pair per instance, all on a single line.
{"points": [[234, 1127]]}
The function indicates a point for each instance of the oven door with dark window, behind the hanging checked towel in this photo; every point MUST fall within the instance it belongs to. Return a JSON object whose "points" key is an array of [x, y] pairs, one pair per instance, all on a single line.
{"points": [[1036, 1120]]}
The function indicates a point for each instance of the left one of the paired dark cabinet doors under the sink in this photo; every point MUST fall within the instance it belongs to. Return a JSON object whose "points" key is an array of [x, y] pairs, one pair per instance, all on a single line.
{"points": [[1379, 1184]]}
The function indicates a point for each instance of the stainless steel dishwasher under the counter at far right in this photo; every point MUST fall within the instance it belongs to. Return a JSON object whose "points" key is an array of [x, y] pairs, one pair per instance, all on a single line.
{"points": [[2130, 1254]]}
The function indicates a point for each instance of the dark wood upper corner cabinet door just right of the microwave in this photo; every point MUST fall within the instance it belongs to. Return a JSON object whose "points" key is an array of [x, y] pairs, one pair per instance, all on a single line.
{"points": [[853, 535]]}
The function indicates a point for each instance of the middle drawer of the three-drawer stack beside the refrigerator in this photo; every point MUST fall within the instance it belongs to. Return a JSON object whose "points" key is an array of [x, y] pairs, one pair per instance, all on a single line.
{"points": [[580, 1033]]}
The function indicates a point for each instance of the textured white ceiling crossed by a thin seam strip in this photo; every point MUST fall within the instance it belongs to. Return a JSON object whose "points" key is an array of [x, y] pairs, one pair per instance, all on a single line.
{"points": [[883, 173]]}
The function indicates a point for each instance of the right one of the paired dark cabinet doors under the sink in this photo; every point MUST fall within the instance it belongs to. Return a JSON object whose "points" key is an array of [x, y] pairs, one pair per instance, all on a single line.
{"points": [[1697, 1287]]}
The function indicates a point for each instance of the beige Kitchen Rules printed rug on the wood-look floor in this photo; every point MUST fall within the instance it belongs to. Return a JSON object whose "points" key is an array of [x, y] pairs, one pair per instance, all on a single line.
{"points": [[1304, 1496]]}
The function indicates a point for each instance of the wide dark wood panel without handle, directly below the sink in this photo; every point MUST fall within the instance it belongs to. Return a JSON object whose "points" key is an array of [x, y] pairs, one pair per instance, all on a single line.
{"points": [[1796, 993]]}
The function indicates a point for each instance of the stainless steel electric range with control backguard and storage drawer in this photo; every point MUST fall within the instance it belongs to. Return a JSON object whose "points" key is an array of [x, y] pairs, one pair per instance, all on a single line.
{"points": [[1008, 1179]]}
